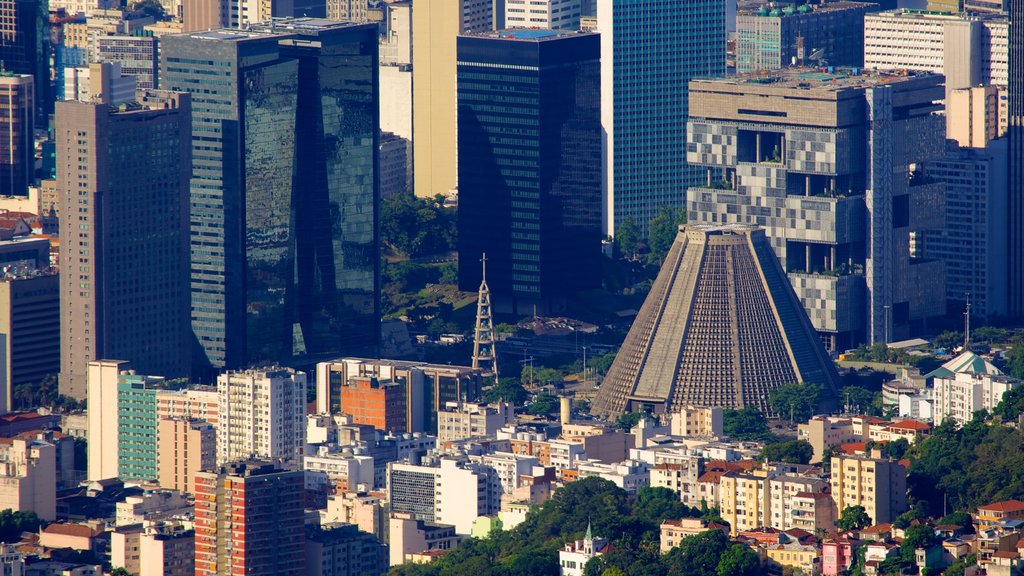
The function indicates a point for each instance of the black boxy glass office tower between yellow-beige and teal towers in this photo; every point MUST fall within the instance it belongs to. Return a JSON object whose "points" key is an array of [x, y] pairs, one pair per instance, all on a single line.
{"points": [[530, 166]]}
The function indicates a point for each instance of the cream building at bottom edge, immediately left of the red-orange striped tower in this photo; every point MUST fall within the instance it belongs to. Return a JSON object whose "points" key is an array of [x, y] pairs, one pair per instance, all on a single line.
{"points": [[167, 549]]}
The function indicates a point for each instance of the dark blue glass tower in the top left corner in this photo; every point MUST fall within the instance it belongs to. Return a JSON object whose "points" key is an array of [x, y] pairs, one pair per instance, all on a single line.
{"points": [[25, 48]]}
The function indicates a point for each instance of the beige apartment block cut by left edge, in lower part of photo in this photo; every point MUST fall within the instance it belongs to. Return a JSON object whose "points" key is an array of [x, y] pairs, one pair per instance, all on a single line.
{"points": [[28, 477]]}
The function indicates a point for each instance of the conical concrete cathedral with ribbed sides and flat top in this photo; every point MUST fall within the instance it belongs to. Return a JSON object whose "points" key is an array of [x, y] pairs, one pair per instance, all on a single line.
{"points": [[721, 326]]}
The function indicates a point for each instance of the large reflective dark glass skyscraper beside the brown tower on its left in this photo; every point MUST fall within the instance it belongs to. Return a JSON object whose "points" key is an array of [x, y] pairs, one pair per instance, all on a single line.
{"points": [[284, 219]]}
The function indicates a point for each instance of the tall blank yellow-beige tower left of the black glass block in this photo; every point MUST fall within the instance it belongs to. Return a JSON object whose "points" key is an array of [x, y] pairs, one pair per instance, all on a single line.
{"points": [[437, 24]]}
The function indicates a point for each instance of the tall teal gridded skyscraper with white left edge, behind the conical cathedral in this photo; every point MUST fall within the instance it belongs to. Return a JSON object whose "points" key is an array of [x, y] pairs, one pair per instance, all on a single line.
{"points": [[650, 53]]}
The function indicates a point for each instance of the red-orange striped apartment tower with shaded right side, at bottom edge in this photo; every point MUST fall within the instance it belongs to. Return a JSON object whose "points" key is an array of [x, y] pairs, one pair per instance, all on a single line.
{"points": [[249, 519]]}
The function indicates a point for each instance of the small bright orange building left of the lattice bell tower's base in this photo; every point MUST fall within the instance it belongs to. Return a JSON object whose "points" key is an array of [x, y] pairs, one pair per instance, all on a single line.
{"points": [[375, 403]]}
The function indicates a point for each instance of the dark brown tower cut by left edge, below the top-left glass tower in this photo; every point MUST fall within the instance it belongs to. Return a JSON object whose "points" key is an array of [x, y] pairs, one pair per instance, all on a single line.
{"points": [[18, 158]]}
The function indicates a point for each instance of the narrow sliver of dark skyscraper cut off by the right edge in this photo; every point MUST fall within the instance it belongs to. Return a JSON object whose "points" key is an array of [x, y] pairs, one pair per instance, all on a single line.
{"points": [[1016, 162]]}
